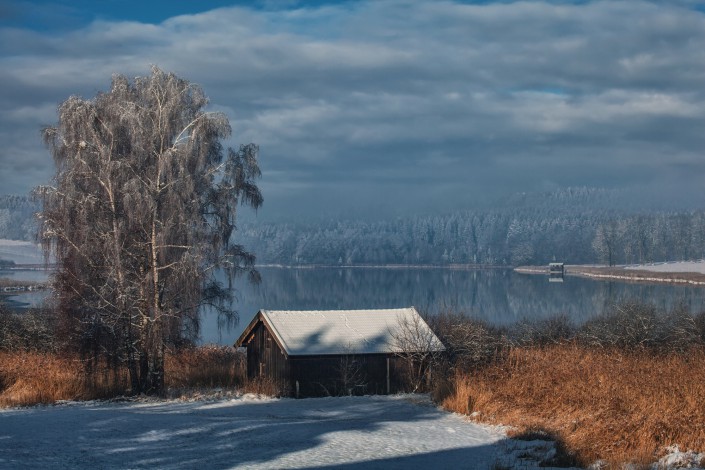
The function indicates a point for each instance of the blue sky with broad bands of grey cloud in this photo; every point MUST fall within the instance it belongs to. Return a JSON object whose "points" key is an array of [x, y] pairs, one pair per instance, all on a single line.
{"points": [[375, 108]]}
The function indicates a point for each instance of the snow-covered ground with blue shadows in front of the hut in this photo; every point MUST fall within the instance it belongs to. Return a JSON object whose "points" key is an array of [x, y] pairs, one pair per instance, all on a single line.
{"points": [[247, 432]]}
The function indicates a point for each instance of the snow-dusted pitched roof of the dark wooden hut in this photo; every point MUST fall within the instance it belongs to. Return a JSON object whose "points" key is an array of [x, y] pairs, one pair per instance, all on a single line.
{"points": [[324, 332]]}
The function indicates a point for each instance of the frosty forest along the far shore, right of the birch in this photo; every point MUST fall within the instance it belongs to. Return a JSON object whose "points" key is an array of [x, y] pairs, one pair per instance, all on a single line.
{"points": [[575, 225]]}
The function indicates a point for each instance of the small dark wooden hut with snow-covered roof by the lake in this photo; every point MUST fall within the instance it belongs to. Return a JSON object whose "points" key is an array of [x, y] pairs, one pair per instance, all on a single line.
{"points": [[336, 352]]}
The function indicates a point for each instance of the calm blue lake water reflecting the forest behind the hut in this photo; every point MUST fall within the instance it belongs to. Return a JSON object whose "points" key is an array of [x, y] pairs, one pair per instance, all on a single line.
{"points": [[499, 296]]}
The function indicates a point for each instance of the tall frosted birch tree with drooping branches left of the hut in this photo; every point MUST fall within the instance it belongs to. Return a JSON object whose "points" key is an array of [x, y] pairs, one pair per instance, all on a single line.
{"points": [[139, 218]]}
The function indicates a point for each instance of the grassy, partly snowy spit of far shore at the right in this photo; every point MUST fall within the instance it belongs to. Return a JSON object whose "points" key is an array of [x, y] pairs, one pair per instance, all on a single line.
{"points": [[664, 273]]}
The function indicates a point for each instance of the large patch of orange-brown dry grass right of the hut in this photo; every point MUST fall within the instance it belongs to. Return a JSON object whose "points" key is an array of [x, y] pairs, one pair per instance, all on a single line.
{"points": [[611, 405]]}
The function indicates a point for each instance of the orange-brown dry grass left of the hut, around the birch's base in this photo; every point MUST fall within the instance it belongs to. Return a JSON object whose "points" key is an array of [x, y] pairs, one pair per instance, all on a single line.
{"points": [[30, 378]]}
